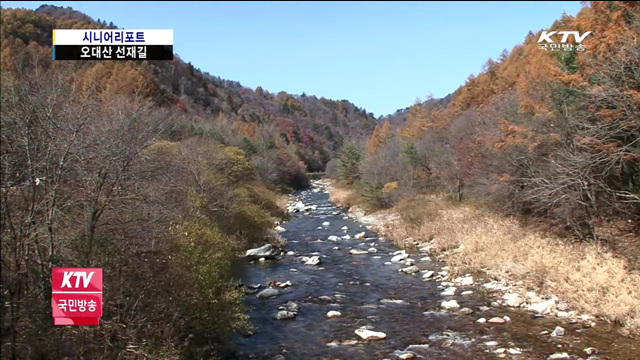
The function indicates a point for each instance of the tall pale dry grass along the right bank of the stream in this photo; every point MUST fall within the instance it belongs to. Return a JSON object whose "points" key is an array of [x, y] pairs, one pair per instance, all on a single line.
{"points": [[587, 277]]}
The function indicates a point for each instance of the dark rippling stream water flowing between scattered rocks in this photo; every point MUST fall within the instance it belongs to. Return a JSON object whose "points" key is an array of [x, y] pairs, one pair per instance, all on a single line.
{"points": [[359, 287]]}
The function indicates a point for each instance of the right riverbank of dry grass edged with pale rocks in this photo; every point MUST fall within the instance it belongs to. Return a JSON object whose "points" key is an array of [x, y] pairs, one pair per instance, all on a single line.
{"points": [[528, 269]]}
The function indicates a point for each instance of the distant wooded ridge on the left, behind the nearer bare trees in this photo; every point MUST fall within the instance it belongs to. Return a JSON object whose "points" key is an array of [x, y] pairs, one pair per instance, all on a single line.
{"points": [[315, 126]]}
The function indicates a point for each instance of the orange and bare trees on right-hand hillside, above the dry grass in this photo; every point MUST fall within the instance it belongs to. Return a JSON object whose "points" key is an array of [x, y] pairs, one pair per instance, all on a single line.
{"points": [[541, 133]]}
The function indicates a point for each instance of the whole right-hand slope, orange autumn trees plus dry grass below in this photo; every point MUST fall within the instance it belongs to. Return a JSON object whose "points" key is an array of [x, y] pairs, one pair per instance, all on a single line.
{"points": [[528, 173]]}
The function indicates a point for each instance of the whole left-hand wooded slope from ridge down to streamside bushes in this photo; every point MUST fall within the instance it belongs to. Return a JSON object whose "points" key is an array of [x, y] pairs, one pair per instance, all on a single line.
{"points": [[154, 171]]}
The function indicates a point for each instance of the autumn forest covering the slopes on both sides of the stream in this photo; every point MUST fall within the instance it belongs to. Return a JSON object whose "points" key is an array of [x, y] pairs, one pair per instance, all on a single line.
{"points": [[161, 173]]}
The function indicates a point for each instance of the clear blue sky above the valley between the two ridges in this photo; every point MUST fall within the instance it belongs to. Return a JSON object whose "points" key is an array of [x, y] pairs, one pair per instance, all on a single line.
{"points": [[378, 55]]}
